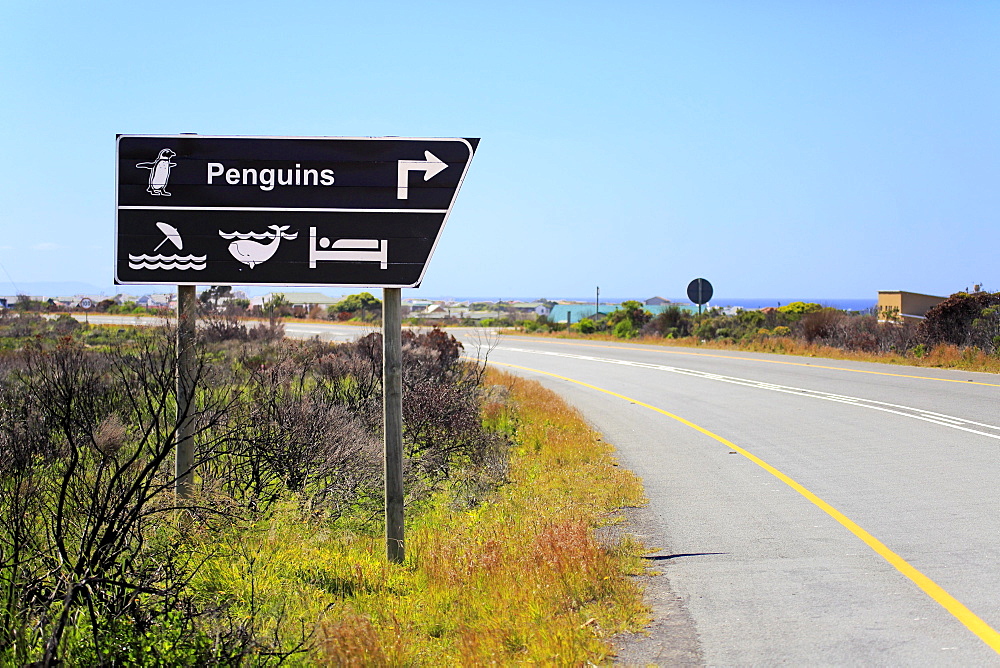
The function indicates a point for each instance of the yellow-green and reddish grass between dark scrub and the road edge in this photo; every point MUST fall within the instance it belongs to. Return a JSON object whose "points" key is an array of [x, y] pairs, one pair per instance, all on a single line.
{"points": [[518, 579]]}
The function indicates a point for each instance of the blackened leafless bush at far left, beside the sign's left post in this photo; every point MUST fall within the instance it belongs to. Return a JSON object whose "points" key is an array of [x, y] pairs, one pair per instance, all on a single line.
{"points": [[94, 436]]}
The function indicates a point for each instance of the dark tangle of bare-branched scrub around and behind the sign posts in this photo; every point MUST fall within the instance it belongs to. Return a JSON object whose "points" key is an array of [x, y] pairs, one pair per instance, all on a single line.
{"points": [[92, 558]]}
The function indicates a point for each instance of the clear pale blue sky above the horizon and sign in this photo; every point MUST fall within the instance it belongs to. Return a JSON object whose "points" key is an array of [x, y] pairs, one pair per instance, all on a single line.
{"points": [[785, 149]]}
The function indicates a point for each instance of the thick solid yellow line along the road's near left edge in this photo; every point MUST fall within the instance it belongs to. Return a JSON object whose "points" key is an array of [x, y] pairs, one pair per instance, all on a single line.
{"points": [[983, 630]]}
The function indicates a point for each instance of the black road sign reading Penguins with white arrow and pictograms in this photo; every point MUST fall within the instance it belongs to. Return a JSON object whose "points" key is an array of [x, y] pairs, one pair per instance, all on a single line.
{"points": [[199, 210]]}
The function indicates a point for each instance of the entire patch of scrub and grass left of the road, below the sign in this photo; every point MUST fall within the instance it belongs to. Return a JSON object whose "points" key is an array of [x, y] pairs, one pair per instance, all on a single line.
{"points": [[280, 557]]}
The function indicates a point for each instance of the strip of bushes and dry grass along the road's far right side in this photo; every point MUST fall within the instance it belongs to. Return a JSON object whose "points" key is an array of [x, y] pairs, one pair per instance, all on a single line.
{"points": [[963, 332]]}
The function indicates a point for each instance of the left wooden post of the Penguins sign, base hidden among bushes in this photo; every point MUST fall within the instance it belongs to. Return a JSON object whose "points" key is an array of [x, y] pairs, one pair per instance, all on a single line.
{"points": [[186, 321]]}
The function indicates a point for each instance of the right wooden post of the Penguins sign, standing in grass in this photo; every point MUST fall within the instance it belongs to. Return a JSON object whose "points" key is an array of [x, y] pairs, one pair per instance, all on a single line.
{"points": [[392, 384]]}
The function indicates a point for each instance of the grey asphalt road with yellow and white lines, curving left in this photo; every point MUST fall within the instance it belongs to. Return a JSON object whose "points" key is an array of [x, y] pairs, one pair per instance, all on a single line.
{"points": [[803, 511]]}
